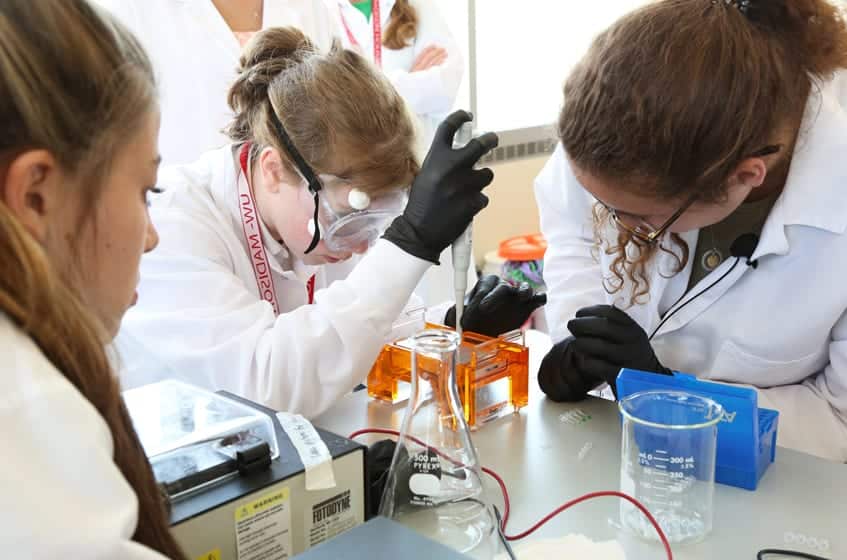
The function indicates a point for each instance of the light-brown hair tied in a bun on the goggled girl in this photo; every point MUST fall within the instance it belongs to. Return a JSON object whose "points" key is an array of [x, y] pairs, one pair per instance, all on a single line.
{"points": [[335, 107]]}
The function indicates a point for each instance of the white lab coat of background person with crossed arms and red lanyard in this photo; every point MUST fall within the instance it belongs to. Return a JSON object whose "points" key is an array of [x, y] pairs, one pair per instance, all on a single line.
{"points": [[430, 94]]}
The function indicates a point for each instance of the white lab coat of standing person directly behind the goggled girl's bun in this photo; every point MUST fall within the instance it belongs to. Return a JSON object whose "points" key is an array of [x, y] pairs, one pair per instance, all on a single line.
{"points": [[195, 55]]}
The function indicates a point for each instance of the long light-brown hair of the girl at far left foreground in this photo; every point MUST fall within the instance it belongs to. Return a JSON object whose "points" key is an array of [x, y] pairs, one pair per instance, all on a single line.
{"points": [[72, 82]]}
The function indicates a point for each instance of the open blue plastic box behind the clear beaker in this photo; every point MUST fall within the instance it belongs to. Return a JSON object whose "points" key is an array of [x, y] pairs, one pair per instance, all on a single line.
{"points": [[746, 433]]}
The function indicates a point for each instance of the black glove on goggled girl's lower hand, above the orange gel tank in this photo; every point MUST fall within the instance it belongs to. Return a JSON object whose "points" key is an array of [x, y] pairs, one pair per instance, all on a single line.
{"points": [[494, 307]]}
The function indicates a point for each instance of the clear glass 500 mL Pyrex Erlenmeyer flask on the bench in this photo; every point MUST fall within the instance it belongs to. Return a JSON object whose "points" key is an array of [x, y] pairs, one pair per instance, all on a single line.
{"points": [[434, 485]]}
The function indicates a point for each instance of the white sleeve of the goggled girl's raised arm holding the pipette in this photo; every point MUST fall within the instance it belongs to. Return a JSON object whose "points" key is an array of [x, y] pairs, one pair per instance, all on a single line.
{"points": [[203, 321]]}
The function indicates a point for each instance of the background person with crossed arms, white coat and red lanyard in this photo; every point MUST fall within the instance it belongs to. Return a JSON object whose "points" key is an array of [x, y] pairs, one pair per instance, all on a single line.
{"points": [[423, 61]]}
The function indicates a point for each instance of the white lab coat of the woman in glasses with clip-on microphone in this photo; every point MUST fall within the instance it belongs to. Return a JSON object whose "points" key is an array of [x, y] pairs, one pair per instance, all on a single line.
{"points": [[781, 328]]}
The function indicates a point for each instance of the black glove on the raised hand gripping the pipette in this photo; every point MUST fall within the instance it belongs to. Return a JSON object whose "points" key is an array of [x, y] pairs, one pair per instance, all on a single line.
{"points": [[445, 195]]}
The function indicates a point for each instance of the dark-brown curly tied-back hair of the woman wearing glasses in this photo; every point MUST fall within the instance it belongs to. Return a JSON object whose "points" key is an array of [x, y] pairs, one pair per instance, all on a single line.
{"points": [[671, 97]]}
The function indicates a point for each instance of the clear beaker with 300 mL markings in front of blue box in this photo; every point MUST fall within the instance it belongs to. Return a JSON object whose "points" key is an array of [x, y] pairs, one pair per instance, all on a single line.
{"points": [[668, 463]]}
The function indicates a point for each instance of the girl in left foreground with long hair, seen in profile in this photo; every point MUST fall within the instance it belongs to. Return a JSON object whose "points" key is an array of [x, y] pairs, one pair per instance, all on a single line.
{"points": [[77, 158]]}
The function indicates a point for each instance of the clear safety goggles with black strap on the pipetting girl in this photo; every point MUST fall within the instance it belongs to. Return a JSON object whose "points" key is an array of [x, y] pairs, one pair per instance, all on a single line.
{"points": [[344, 217]]}
